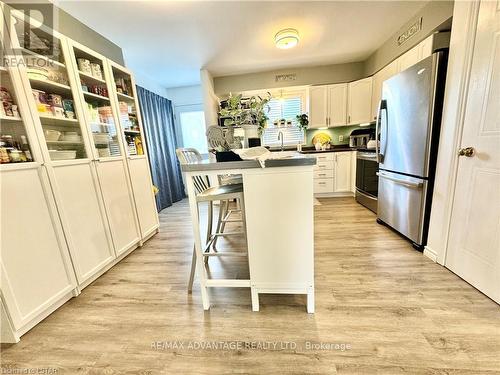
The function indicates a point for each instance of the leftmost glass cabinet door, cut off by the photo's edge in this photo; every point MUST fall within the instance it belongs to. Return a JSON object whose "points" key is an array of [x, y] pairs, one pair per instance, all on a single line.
{"points": [[14, 142]]}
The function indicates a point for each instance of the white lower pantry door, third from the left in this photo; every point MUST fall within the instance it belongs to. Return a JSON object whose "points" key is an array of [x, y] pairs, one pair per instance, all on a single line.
{"points": [[119, 203]]}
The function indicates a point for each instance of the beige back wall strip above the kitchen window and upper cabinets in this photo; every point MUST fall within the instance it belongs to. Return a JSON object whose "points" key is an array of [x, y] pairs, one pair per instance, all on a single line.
{"points": [[315, 75]]}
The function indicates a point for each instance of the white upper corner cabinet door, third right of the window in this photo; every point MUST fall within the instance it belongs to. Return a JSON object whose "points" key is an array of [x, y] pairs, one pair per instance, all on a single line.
{"points": [[359, 102]]}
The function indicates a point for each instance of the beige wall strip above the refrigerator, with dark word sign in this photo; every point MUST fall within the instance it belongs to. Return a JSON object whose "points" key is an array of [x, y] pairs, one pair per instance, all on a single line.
{"points": [[434, 17]]}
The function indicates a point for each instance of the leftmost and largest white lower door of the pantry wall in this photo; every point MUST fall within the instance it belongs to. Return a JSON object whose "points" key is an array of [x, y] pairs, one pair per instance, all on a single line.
{"points": [[37, 275]]}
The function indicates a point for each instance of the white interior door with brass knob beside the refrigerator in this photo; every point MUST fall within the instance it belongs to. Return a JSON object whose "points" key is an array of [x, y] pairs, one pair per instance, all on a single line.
{"points": [[474, 246]]}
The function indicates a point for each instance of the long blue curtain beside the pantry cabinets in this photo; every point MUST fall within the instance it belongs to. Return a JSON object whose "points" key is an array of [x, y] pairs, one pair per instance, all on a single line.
{"points": [[158, 119]]}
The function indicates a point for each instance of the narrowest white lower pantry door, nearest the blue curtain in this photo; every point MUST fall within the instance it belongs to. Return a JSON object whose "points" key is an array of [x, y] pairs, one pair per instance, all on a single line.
{"points": [[144, 196]]}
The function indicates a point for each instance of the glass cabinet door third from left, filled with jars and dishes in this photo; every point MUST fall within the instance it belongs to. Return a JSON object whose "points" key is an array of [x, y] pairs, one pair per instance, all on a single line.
{"points": [[94, 89]]}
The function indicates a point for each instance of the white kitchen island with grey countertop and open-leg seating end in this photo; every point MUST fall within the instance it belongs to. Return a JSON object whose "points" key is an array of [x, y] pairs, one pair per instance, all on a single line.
{"points": [[279, 222]]}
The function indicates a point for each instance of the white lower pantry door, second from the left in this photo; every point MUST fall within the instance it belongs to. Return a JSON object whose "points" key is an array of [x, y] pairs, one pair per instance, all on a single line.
{"points": [[83, 217]]}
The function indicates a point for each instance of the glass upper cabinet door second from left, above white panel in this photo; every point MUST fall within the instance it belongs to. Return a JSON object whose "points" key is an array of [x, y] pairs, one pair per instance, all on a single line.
{"points": [[48, 76]]}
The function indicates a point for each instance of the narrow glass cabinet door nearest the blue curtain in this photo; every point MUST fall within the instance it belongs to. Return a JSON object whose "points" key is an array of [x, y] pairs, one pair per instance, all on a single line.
{"points": [[124, 89]]}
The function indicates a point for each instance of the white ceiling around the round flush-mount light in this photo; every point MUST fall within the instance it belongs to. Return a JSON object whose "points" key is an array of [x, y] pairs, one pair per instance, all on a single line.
{"points": [[169, 42]]}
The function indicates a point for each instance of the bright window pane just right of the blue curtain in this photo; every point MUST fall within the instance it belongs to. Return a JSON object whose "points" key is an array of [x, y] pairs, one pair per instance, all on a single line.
{"points": [[193, 130]]}
